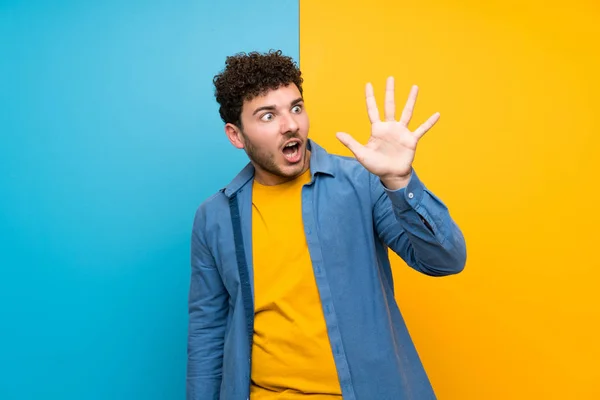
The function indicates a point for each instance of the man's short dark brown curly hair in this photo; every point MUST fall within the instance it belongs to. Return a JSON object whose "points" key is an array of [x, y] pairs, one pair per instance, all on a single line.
{"points": [[247, 76]]}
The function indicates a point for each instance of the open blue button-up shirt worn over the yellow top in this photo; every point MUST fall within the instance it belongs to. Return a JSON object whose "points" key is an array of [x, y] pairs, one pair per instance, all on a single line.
{"points": [[350, 222]]}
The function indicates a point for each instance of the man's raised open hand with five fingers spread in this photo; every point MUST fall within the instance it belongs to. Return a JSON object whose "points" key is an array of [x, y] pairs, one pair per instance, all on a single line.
{"points": [[390, 151]]}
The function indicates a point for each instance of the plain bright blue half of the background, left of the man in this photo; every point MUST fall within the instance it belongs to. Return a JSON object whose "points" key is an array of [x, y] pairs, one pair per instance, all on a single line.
{"points": [[109, 140]]}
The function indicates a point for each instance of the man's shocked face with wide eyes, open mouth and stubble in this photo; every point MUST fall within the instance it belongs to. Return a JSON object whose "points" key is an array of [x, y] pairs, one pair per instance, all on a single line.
{"points": [[274, 135]]}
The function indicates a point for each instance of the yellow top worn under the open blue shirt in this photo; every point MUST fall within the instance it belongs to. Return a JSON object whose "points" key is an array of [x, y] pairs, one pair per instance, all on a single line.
{"points": [[291, 353]]}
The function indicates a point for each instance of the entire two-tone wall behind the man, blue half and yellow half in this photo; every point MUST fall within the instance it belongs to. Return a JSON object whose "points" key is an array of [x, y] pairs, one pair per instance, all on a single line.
{"points": [[110, 138]]}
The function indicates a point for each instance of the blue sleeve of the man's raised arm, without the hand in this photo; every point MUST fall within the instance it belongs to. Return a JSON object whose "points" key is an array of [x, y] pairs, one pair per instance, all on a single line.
{"points": [[417, 226]]}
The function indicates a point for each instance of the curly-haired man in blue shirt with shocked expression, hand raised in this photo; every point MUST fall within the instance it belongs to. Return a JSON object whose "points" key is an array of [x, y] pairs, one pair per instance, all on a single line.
{"points": [[291, 292]]}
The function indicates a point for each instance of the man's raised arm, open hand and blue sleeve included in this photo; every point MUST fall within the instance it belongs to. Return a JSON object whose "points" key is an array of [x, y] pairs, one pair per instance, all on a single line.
{"points": [[408, 218]]}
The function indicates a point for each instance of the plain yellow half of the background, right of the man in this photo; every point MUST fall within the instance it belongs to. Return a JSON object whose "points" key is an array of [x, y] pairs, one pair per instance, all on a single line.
{"points": [[514, 156]]}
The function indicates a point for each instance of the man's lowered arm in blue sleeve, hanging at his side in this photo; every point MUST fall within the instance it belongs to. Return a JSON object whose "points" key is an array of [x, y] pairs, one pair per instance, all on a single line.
{"points": [[208, 307]]}
